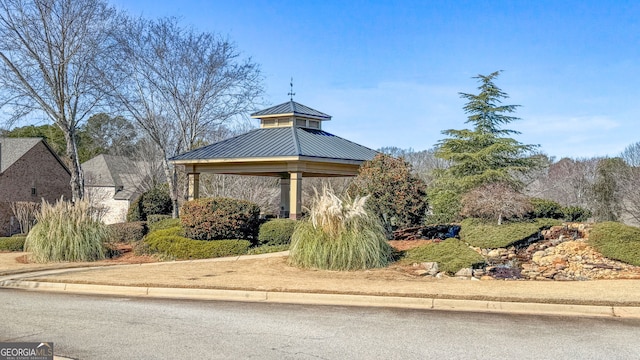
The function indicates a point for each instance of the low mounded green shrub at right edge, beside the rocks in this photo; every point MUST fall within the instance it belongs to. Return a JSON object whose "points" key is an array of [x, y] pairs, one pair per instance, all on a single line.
{"points": [[616, 241]]}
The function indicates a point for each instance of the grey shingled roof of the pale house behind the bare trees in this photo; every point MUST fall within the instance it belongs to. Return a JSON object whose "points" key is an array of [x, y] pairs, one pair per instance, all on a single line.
{"points": [[114, 171]]}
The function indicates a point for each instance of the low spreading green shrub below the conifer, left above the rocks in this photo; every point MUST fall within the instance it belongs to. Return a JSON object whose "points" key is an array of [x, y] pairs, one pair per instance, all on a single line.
{"points": [[485, 235]]}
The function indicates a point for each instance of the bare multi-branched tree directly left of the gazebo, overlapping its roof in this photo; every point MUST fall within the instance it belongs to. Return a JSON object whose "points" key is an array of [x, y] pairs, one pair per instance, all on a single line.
{"points": [[178, 85]]}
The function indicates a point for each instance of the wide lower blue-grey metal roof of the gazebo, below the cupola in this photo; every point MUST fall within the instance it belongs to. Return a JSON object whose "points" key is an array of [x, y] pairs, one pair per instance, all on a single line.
{"points": [[281, 142]]}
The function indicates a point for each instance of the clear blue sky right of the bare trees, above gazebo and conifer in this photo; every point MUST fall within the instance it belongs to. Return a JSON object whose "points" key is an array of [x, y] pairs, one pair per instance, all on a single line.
{"points": [[389, 72]]}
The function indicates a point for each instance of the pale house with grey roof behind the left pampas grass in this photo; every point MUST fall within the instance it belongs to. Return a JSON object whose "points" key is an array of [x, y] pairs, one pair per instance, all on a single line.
{"points": [[113, 183]]}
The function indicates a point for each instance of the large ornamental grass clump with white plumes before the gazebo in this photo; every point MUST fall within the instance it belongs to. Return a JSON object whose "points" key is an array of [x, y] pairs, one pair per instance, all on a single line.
{"points": [[339, 235]]}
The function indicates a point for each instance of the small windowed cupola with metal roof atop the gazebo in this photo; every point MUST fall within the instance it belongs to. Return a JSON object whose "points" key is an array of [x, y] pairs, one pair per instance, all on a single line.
{"points": [[291, 114]]}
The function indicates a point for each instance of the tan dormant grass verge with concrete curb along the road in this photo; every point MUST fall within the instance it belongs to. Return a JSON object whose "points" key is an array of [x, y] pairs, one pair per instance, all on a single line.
{"points": [[267, 278]]}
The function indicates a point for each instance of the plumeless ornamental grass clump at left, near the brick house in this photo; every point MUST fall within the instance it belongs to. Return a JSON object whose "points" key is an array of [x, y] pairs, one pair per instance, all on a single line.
{"points": [[66, 232]]}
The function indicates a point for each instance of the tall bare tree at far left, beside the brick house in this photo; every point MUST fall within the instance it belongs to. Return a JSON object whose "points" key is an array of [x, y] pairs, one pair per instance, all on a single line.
{"points": [[49, 52]]}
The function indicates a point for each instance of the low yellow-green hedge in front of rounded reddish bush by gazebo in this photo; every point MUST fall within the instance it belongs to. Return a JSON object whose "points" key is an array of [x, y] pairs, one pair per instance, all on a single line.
{"points": [[171, 243]]}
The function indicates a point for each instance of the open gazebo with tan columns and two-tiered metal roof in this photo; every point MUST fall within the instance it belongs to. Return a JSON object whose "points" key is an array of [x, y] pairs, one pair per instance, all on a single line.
{"points": [[290, 144]]}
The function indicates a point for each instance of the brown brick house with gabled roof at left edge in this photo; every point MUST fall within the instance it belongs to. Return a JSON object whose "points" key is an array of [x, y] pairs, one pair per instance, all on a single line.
{"points": [[29, 171]]}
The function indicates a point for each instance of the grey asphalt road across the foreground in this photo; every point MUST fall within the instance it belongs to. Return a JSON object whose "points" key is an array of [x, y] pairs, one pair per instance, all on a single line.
{"points": [[91, 327]]}
